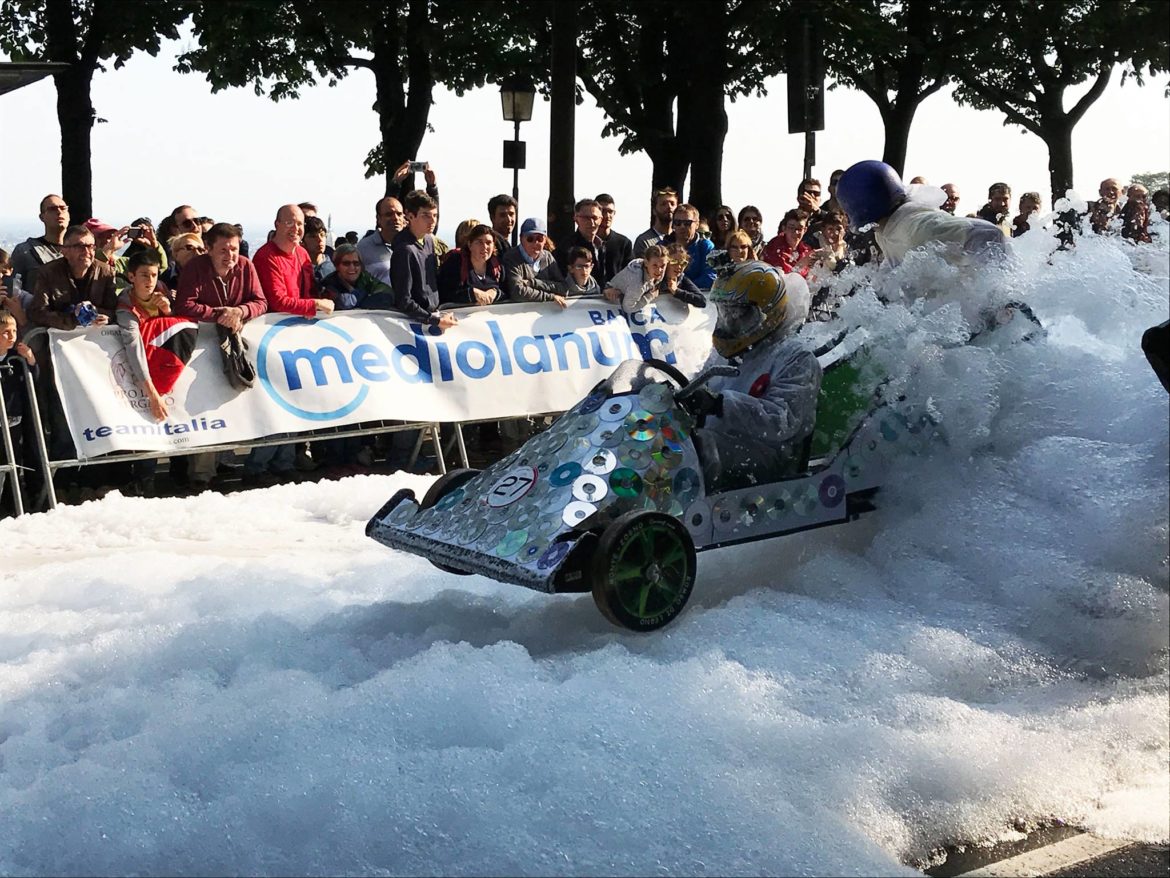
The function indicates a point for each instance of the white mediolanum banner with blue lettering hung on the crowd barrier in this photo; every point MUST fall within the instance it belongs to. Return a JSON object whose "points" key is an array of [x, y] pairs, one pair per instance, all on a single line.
{"points": [[499, 362]]}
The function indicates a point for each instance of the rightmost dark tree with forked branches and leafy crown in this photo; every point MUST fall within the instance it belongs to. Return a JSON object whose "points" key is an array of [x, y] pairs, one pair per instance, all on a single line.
{"points": [[1022, 59]]}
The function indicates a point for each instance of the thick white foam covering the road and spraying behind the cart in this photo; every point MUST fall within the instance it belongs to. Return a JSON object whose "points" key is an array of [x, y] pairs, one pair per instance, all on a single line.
{"points": [[247, 684]]}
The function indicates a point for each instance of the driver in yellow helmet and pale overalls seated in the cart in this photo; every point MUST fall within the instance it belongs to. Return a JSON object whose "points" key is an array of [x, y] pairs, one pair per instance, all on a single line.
{"points": [[753, 428]]}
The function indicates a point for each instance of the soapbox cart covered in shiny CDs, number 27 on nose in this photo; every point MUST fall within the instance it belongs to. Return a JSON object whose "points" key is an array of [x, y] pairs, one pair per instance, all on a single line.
{"points": [[611, 499]]}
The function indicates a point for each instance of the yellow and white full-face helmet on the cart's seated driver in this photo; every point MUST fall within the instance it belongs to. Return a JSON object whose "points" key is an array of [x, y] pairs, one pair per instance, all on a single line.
{"points": [[753, 304]]}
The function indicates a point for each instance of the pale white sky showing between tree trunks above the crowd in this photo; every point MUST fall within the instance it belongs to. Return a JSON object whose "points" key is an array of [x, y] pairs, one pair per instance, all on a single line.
{"points": [[237, 156]]}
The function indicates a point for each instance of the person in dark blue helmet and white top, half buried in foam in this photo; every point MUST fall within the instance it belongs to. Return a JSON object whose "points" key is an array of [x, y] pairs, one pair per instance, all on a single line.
{"points": [[872, 193]]}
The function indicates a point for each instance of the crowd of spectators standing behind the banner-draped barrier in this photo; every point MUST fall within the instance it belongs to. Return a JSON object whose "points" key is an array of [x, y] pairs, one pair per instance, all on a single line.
{"points": [[161, 283]]}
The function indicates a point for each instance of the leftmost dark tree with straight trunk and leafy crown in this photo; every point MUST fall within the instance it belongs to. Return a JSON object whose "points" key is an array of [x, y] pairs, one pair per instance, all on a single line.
{"points": [[87, 36]]}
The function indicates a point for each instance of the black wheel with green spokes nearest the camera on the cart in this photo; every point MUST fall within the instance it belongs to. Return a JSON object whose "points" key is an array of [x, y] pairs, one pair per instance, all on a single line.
{"points": [[644, 571]]}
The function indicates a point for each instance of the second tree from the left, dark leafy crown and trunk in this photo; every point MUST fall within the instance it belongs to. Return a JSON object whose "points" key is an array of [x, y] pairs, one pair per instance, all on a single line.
{"points": [[409, 49]]}
